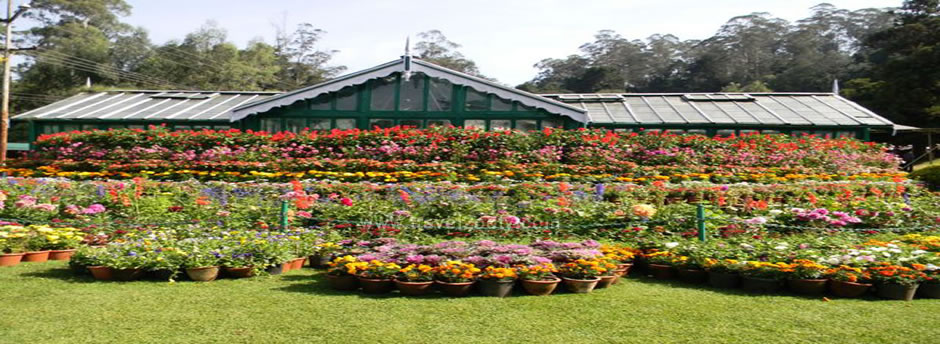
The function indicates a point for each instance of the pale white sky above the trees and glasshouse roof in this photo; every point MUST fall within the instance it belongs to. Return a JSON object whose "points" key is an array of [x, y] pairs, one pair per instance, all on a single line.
{"points": [[505, 38]]}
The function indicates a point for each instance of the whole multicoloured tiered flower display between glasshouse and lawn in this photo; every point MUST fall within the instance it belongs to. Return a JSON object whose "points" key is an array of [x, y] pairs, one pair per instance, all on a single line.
{"points": [[448, 212]]}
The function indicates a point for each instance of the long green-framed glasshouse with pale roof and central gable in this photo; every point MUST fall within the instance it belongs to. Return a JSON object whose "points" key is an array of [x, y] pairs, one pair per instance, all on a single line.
{"points": [[412, 92]]}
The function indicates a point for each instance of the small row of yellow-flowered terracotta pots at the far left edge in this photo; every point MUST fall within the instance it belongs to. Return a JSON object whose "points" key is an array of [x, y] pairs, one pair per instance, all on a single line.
{"points": [[37, 243]]}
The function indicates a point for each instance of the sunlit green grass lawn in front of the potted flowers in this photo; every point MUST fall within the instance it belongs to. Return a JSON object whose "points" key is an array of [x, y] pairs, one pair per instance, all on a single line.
{"points": [[45, 303]]}
